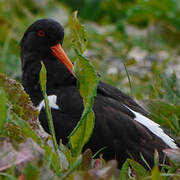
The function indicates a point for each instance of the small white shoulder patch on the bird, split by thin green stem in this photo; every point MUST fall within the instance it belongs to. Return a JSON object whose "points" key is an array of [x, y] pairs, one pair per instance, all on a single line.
{"points": [[52, 103]]}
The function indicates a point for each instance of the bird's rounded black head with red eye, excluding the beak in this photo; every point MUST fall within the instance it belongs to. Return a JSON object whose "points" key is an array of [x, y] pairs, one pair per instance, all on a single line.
{"points": [[41, 35]]}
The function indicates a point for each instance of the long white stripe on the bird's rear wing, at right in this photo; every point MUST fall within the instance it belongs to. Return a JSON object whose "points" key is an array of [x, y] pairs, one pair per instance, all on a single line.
{"points": [[154, 128]]}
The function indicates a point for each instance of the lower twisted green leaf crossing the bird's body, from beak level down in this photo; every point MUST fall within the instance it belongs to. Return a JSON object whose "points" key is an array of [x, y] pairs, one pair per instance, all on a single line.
{"points": [[87, 84]]}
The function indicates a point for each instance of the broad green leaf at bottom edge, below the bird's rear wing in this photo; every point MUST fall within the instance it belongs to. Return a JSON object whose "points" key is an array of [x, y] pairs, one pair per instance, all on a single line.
{"points": [[140, 171]]}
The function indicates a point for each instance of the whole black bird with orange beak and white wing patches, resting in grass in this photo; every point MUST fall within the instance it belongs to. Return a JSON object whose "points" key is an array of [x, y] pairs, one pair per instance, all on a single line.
{"points": [[123, 129]]}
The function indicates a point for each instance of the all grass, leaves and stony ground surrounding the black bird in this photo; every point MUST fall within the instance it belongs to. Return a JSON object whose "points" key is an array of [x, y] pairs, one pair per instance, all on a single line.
{"points": [[132, 43]]}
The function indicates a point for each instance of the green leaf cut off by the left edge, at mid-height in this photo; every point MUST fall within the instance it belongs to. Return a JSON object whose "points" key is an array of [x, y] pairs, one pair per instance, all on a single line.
{"points": [[3, 110]]}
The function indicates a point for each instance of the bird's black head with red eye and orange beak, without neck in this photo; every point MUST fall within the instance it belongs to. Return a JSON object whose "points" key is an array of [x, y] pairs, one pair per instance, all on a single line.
{"points": [[43, 39]]}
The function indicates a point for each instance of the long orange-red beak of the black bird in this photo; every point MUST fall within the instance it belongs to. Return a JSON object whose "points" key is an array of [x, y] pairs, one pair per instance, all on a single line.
{"points": [[58, 51]]}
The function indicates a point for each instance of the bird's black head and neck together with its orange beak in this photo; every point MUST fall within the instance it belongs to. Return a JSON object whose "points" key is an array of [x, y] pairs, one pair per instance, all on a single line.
{"points": [[42, 41]]}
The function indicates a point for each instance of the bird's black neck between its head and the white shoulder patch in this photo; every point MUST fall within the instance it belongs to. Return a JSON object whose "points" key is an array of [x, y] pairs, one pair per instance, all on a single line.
{"points": [[57, 76]]}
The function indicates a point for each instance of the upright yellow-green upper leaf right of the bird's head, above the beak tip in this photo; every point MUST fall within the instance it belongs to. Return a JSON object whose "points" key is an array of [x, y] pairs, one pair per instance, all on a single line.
{"points": [[80, 39]]}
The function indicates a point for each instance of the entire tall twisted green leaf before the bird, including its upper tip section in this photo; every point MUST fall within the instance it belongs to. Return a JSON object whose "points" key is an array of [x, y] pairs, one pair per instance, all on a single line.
{"points": [[87, 85]]}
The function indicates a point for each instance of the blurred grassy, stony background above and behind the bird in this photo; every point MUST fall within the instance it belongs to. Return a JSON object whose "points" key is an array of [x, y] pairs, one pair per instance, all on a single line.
{"points": [[141, 35]]}
